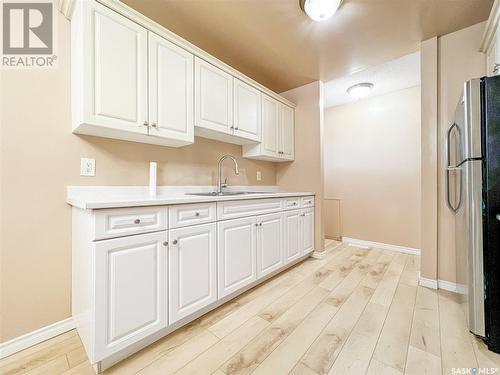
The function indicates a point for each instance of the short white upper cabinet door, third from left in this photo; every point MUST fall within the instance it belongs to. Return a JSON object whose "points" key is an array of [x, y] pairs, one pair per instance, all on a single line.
{"points": [[213, 97]]}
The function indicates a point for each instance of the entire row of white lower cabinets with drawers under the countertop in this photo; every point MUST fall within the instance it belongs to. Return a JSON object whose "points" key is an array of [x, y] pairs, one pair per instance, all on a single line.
{"points": [[169, 264]]}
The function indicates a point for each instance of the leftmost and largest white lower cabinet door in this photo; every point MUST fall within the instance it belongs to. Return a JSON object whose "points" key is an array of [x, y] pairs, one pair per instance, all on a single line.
{"points": [[130, 289]]}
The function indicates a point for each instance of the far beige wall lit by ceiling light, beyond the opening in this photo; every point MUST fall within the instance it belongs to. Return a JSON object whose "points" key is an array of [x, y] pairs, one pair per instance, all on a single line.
{"points": [[372, 164]]}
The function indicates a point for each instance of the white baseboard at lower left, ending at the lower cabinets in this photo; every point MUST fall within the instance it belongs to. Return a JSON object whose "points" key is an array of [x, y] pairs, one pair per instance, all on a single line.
{"points": [[32, 338]]}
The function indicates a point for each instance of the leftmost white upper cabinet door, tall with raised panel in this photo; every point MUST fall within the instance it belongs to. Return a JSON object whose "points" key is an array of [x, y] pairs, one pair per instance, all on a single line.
{"points": [[116, 52]]}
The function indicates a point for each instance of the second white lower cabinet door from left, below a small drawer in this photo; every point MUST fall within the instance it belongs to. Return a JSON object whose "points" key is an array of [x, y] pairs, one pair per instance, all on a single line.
{"points": [[192, 270]]}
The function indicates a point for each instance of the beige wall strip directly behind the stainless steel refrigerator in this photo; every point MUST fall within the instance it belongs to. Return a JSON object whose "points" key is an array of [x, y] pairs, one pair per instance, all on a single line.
{"points": [[458, 61]]}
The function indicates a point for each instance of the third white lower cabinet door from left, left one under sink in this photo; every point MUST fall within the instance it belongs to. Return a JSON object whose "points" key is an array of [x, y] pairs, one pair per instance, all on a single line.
{"points": [[237, 249]]}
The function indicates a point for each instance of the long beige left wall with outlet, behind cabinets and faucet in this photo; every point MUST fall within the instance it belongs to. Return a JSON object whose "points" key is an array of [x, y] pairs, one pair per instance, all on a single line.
{"points": [[40, 157]]}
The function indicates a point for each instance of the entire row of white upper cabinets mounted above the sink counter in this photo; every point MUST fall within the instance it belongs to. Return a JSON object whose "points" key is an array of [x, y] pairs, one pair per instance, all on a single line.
{"points": [[134, 80]]}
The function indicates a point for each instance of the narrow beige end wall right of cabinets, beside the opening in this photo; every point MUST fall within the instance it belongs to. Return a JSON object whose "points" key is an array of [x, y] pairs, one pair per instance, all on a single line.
{"points": [[306, 172]]}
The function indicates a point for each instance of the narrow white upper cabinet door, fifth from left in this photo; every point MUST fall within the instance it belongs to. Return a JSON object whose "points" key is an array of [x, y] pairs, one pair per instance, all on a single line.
{"points": [[270, 127]]}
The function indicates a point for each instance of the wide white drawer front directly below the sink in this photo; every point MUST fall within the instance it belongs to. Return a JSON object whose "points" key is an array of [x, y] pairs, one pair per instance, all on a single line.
{"points": [[235, 209]]}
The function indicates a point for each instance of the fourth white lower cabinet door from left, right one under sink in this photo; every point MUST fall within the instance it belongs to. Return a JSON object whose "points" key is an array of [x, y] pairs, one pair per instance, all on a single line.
{"points": [[269, 243]]}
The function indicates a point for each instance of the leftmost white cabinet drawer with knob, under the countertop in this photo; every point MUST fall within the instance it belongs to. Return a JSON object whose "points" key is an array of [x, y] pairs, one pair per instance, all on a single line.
{"points": [[126, 221]]}
